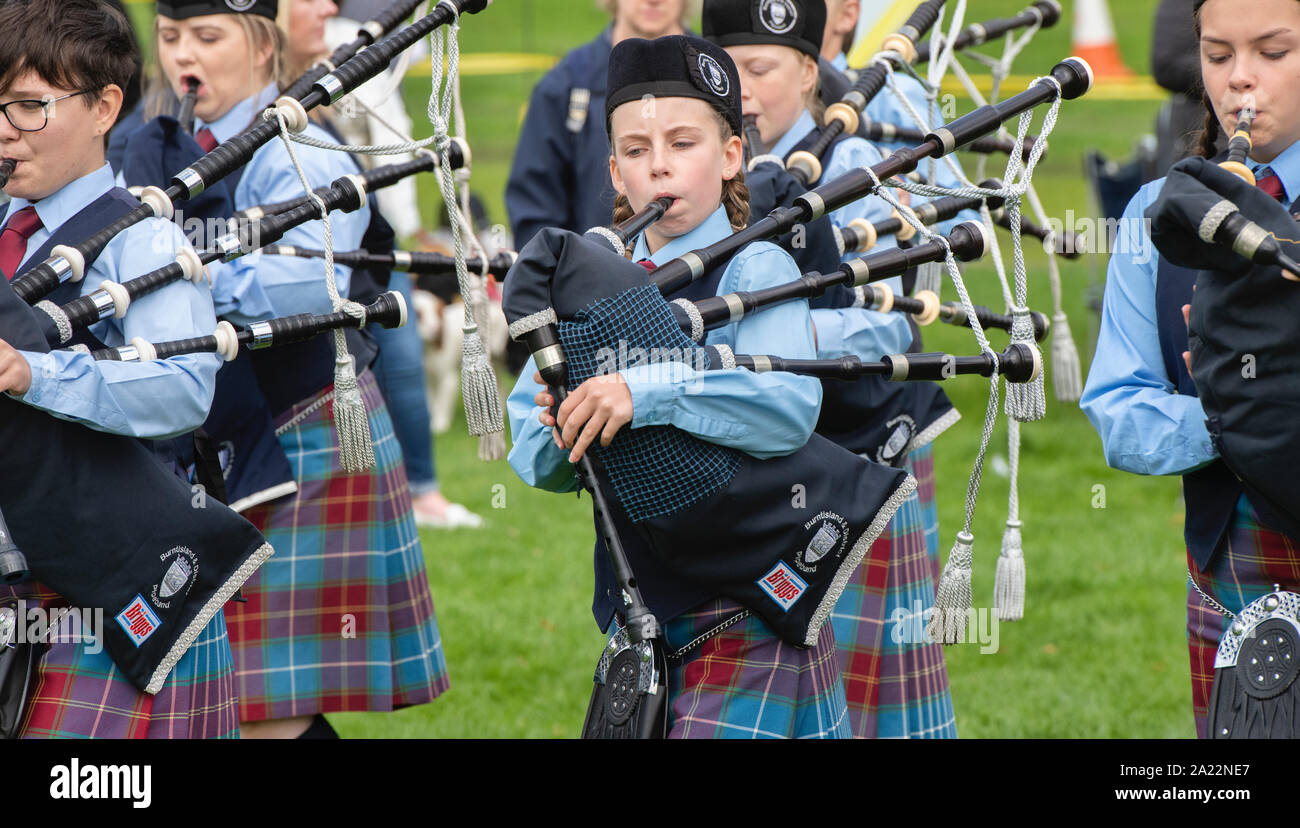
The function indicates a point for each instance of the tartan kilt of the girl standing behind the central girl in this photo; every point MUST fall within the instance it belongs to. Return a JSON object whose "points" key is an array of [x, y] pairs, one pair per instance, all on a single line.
{"points": [[896, 688]]}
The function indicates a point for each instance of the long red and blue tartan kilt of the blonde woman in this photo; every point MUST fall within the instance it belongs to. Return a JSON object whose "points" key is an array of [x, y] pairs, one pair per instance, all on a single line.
{"points": [[341, 617]]}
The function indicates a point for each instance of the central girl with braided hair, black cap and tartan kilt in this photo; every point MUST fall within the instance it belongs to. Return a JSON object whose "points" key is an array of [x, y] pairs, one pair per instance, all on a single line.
{"points": [[674, 120]]}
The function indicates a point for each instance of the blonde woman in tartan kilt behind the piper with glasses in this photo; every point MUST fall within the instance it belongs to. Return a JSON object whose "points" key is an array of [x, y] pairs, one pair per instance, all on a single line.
{"points": [[343, 618]]}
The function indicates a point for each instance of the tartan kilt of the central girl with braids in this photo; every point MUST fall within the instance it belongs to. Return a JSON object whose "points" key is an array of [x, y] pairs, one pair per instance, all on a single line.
{"points": [[747, 683]]}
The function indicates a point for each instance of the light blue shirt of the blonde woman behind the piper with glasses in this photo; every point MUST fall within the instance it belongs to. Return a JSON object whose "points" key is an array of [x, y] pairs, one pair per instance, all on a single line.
{"points": [[258, 287]]}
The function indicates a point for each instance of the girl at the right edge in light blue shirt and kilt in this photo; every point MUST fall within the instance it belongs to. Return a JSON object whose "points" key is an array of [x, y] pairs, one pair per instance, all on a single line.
{"points": [[1141, 396]]}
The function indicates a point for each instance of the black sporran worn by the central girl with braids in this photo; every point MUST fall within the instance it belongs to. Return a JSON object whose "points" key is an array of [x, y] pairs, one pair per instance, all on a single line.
{"points": [[629, 693]]}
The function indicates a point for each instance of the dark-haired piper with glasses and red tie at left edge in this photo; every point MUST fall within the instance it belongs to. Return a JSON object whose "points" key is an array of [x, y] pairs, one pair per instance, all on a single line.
{"points": [[66, 64]]}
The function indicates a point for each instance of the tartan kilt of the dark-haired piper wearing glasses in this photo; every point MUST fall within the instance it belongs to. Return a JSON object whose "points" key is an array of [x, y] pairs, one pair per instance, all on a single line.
{"points": [[81, 695]]}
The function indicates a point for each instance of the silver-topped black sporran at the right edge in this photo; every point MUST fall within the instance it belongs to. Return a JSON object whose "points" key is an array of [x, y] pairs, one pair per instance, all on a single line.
{"points": [[1256, 693]]}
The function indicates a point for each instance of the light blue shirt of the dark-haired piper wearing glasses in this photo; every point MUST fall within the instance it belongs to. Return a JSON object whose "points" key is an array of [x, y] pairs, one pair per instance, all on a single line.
{"points": [[141, 400]]}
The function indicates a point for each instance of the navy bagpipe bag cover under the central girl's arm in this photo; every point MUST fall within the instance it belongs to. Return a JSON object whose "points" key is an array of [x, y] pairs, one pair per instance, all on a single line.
{"points": [[781, 536]]}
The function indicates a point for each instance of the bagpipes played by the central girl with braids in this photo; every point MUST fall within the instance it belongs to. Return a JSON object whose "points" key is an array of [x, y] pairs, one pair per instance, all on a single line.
{"points": [[658, 491]]}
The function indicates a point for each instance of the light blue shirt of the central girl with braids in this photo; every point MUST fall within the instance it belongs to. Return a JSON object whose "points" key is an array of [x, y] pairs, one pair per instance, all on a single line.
{"points": [[766, 415]]}
